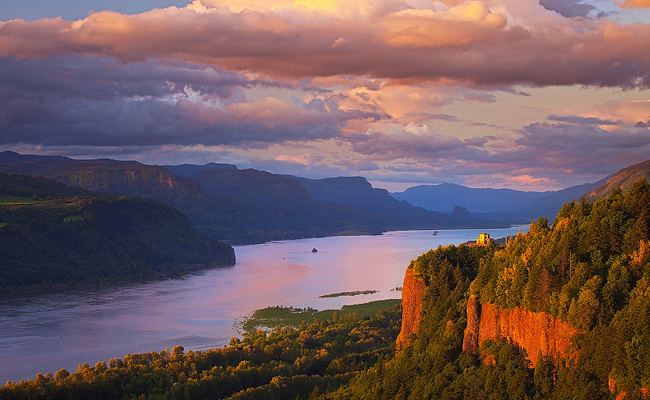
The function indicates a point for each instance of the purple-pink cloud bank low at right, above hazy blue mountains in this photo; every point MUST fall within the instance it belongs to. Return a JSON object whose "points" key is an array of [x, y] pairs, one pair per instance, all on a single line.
{"points": [[540, 155]]}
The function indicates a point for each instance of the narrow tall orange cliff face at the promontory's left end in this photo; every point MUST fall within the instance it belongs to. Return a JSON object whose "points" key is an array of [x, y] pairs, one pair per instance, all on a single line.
{"points": [[412, 292]]}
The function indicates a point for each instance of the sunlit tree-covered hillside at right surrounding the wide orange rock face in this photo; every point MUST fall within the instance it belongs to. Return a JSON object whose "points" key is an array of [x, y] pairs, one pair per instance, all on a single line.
{"points": [[591, 268]]}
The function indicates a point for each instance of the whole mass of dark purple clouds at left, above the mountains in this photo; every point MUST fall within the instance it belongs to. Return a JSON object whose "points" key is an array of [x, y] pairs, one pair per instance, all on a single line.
{"points": [[84, 101]]}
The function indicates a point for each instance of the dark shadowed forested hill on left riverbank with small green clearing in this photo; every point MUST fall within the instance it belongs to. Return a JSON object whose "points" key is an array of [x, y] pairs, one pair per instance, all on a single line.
{"points": [[51, 234]]}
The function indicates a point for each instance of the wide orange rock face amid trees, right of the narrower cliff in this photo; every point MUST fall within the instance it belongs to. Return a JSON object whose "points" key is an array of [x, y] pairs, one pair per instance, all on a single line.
{"points": [[536, 332]]}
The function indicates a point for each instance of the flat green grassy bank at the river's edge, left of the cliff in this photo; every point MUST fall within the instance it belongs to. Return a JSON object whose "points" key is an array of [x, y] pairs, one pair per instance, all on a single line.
{"points": [[270, 317]]}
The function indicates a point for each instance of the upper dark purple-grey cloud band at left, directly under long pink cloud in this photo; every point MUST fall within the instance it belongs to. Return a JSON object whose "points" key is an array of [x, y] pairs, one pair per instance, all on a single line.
{"points": [[102, 78]]}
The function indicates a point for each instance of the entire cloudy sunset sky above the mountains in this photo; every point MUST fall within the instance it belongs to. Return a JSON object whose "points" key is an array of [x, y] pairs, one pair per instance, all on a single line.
{"points": [[525, 94]]}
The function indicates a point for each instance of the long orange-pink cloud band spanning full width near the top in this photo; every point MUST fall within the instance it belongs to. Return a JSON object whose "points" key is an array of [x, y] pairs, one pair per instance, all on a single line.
{"points": [[484, 43]]}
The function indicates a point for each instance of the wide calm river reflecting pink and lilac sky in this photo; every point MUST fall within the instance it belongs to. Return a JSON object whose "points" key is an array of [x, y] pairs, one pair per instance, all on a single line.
{"points": [[62, 330]]}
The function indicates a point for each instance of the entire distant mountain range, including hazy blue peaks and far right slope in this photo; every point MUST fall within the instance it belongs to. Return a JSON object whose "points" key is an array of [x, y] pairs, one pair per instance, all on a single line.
{"points": [[251, 206]]}
